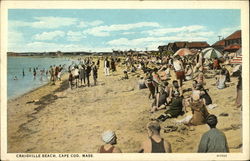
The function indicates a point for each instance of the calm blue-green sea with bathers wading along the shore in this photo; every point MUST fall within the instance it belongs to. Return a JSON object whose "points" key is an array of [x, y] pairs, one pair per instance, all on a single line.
{"points": [[24, 84]]}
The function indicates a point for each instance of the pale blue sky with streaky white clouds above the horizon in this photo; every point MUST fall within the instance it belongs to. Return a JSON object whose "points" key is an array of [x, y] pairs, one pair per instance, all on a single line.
{"points": [[43, 30]]}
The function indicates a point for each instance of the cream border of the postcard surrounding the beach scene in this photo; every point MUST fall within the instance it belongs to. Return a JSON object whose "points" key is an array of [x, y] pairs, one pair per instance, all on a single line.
{"points": [[243, 5]]}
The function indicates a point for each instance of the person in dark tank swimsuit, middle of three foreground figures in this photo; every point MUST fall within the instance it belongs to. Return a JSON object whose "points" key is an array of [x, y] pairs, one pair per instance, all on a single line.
{"points": [[155, 143]]}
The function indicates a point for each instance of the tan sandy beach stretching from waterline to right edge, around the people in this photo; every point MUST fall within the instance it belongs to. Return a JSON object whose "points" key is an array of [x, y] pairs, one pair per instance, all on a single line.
{"points": [[61, 120]]}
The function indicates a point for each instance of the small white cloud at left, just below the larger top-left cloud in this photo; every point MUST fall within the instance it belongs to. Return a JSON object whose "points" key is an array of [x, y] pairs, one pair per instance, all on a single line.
{"points": [[49, 35]]}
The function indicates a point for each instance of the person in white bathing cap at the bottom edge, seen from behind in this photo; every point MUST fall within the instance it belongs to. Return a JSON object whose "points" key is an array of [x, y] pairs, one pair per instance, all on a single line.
{"points": [[110, 140]]}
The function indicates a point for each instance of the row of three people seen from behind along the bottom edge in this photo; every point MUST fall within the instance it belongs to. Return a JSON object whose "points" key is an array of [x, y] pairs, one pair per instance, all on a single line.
{"points": [[212, 141]]}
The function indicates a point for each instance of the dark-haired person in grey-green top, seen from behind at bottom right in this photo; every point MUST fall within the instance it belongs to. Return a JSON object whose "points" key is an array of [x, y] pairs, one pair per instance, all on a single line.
{"points": [[214, 140]]}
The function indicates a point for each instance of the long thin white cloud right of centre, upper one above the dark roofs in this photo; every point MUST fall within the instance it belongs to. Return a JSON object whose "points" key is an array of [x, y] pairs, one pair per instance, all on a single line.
{"points": [[164, 31]]}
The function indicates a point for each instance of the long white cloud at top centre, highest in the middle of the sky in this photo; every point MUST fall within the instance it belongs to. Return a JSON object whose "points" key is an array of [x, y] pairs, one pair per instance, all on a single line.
{"points": [[105, 30]]}
